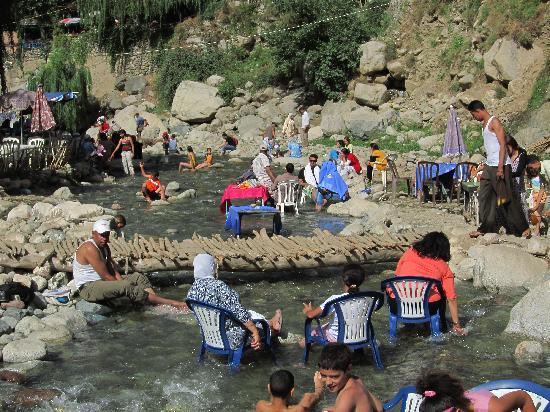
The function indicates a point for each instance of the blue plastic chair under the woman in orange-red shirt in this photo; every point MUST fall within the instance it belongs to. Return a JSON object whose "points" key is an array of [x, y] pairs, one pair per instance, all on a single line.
{"points": [[412, 299]]}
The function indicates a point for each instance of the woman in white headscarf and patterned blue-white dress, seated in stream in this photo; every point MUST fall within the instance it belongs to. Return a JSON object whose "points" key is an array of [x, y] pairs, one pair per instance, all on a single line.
{"points": [[208, 289]]}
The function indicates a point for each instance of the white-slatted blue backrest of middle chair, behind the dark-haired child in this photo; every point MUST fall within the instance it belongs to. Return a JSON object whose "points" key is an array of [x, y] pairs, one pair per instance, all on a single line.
{"points": [[354, 313]]}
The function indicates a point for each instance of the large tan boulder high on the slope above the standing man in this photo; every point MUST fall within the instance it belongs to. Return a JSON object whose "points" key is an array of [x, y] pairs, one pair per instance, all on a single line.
{"points": [[506, 60]]}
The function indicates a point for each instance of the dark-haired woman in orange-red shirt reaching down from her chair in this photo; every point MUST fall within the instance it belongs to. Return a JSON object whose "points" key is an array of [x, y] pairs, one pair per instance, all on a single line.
{"points": [[429, 258]]}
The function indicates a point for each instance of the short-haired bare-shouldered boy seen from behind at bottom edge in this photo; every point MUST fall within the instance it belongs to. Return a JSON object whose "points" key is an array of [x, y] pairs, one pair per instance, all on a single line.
{"points": [[281, 390]]}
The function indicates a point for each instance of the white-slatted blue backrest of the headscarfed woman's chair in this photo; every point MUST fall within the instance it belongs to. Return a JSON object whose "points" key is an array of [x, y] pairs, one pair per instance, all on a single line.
{"points": [[211, 319]]}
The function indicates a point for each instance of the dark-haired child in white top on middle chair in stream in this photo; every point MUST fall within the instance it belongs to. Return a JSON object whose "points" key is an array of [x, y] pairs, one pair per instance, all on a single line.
{"points": [[352, 277]]}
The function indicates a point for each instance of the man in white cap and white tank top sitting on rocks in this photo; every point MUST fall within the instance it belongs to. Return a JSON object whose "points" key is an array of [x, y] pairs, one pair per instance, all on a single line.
{"points": [[98, 280]]}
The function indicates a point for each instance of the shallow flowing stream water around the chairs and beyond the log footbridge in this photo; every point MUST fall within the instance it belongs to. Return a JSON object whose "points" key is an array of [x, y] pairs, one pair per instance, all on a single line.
{"points": [[146, 360]]}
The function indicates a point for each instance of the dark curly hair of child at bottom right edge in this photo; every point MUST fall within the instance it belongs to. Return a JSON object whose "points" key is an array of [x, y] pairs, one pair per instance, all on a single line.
{"points": [[448, 392]]}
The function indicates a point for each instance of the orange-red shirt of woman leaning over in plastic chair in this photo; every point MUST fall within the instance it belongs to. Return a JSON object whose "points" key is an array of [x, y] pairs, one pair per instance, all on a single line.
{"points": [[412, 264]]}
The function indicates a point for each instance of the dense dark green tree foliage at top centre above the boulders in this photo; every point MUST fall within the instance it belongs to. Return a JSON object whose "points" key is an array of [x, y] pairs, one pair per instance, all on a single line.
{"points": [[326, 53]]}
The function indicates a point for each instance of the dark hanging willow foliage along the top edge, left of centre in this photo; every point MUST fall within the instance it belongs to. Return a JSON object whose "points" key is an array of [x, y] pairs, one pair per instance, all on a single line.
{"points": [[120, 24]]}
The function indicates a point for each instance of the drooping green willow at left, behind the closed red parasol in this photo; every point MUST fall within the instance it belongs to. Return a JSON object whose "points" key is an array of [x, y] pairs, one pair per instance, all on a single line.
{"points": [[65, 70]]}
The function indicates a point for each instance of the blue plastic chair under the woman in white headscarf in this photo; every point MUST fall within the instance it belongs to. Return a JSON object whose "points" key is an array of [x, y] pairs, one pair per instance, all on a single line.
{"points": [[211, 320]]}
